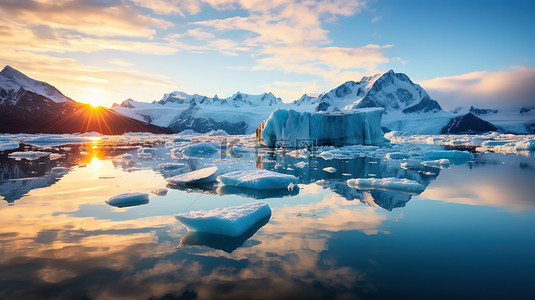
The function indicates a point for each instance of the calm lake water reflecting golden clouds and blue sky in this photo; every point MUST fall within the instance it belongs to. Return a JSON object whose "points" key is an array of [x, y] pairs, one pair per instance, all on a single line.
{"points": [[468, 235]]}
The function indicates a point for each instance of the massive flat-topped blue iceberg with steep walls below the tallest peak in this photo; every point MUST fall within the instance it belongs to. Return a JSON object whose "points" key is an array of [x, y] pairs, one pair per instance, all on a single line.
{"points": [[290, 128]]}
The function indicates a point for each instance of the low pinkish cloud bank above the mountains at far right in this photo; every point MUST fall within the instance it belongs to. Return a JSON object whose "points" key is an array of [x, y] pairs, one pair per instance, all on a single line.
{"points": [[511, 87]]}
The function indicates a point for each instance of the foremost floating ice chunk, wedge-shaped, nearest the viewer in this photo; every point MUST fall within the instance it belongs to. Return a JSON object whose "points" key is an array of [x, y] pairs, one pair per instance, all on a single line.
{"points": [[230, 221]]}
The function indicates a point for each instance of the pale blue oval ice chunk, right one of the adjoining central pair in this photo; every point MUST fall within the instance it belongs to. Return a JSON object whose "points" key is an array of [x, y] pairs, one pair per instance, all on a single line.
{"points": [[258, 179]]}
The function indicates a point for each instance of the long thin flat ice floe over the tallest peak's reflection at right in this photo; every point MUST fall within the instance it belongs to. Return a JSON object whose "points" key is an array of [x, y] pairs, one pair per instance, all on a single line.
{"points": [[387, 184]]}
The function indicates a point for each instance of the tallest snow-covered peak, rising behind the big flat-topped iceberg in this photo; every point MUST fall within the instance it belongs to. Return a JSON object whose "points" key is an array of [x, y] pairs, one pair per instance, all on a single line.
{"points": [[390, 90]]}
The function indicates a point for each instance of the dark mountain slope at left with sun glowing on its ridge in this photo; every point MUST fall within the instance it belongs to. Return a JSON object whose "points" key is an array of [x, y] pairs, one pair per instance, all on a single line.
{"points": [[32, 106]]}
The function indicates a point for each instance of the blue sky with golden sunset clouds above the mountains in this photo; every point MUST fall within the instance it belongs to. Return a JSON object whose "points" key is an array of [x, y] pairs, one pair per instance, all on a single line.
{"points": [[100, 52]]}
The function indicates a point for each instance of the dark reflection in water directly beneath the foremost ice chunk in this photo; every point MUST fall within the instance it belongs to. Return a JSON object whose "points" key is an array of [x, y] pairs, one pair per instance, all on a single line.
{"points": [[222, 242]]}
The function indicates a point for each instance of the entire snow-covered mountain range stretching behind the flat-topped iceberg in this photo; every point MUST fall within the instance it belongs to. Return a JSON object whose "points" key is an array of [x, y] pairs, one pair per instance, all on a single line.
{"points": [[408, 107]]}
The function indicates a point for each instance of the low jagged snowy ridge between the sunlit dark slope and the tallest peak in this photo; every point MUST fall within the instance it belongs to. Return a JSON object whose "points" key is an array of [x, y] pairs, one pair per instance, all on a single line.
{"points": [[238, 114]]}
